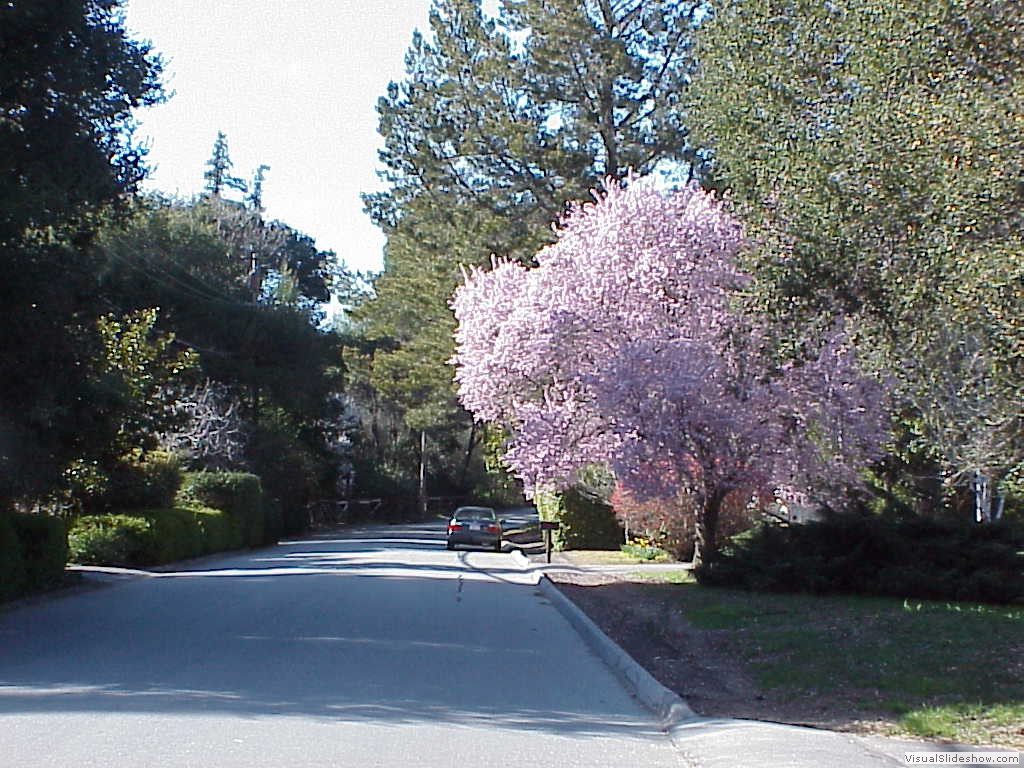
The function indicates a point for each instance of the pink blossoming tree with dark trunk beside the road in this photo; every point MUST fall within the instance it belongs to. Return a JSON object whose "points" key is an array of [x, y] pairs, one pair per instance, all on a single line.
{"points": [[621, 348]]}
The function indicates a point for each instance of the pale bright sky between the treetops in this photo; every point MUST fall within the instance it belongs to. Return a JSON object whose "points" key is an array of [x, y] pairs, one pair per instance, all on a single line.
{"points": [[293, 84]]}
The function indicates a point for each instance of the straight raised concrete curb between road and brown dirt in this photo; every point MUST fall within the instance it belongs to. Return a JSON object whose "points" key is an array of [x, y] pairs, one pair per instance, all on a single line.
{"points": [[667, 706]]}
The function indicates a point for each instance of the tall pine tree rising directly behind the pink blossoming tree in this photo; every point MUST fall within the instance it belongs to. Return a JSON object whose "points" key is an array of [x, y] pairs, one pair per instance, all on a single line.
{"points": [[499, 123]]}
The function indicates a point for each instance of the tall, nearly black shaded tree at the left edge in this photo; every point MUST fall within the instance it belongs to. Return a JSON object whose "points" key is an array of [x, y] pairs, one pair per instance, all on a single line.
{"points": [[70, 78]]}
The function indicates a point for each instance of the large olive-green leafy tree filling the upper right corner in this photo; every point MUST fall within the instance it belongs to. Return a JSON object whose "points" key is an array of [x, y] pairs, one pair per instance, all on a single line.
{"points": [[876, 151]]}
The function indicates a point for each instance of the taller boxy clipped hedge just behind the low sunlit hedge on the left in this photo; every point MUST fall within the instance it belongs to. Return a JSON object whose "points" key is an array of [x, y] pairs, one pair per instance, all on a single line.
{"points": [[238, 494]]}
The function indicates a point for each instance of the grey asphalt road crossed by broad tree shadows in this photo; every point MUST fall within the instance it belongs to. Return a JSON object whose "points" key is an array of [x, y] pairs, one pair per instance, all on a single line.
{"points": [[376, 648]]}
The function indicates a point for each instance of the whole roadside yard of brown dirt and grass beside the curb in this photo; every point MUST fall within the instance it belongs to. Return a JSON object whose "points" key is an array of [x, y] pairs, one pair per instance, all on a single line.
{"points": [[917, 669]]}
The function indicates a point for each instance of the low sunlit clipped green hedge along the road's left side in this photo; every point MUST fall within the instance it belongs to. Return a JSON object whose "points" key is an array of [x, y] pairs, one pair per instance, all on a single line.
{"points": [[151, 537]]}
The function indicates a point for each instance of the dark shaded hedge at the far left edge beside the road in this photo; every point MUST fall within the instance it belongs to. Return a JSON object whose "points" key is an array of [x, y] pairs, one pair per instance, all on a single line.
{"points": [[33, 553]]}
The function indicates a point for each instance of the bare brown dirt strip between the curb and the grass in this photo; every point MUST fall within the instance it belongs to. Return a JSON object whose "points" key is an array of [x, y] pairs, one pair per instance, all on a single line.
{"points": [[697, 663]]}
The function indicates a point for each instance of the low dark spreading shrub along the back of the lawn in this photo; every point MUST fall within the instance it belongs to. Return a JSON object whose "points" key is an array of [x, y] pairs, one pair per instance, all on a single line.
{"points": [[917, 558]]}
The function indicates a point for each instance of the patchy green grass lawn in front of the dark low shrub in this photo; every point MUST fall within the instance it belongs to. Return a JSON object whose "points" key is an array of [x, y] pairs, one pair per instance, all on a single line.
{"points": [[938, 670]]}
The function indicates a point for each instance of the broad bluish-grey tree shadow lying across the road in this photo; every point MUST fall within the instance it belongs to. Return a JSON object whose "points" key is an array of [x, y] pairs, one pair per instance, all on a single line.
{"points": [[380, 626]]}
